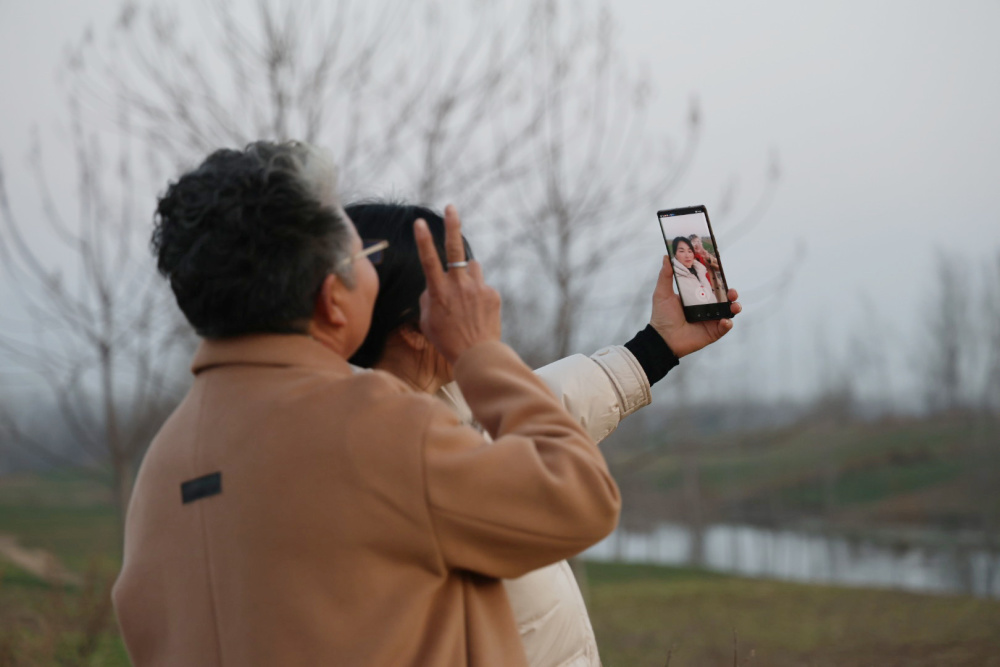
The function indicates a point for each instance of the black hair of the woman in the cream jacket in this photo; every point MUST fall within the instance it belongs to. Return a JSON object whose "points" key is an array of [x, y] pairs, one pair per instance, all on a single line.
{"points": [[401, 278]]}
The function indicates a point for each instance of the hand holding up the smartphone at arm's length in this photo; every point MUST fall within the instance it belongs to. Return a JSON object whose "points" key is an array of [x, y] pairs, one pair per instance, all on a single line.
{"points": [[682, 336]]}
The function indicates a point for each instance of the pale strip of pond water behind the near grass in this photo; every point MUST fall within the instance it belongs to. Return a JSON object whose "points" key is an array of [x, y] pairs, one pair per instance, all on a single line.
{"points": [[940, 563]]}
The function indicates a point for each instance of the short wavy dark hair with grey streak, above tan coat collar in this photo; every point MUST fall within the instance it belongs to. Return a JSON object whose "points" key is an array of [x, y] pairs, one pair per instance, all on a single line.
{"points": [[247, 238]]}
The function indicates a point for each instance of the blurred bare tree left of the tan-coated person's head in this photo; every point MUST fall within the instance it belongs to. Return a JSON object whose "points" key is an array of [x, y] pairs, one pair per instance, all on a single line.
{"points": [[105, 334]]}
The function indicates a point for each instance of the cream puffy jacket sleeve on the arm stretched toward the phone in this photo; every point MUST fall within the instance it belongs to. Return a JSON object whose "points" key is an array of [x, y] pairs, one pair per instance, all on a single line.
{"points": [[599, 390]]}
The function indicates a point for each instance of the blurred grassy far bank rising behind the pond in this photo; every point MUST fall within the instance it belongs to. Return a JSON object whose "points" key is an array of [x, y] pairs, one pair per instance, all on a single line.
{"points": [[936, 474]]}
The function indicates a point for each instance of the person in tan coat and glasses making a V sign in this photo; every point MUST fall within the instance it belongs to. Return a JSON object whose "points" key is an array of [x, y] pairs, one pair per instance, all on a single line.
{"points": [[294, 512]]}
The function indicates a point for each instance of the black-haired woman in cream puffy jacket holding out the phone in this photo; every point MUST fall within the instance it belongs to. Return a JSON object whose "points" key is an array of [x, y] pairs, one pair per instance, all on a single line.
{"points": [[599, 391]]}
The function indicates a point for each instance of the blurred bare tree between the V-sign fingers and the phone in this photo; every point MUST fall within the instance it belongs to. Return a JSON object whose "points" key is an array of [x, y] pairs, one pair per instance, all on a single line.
{"points": [[596, 171]]}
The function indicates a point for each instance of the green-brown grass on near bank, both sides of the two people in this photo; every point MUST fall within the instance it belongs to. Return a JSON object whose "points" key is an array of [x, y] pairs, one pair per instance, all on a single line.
{"points": [[641, 614]]}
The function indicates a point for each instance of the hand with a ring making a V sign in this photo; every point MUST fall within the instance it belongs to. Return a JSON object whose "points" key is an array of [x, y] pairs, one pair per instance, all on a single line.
{"points": [[458, 309]]}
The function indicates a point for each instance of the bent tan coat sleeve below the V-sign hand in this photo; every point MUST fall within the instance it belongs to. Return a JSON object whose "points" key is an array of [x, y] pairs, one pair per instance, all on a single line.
{"points": [[541, 492]]}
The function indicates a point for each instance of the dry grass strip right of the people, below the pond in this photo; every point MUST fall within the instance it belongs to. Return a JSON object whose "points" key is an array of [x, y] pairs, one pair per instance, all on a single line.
{"points": [[644, 615]]}
